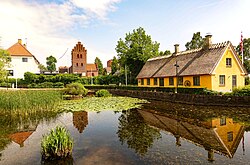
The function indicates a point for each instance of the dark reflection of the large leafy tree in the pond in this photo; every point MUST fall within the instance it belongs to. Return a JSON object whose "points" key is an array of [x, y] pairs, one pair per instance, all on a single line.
{"points": [[133, 130]]}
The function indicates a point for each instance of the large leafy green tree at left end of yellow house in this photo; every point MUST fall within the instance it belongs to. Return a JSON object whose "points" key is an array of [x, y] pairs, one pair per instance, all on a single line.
{"points": [[135, 50]]}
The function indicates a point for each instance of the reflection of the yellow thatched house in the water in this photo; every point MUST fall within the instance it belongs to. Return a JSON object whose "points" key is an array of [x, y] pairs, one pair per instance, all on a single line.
{"points": [[220, 135]]}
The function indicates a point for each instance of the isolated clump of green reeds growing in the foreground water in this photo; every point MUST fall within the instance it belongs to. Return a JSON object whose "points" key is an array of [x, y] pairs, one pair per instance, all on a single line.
{"points": [[57, 144]]}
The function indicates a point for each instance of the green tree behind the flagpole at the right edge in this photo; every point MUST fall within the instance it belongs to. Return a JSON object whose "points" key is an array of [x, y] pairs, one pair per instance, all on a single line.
{"points": [[246, 49]]}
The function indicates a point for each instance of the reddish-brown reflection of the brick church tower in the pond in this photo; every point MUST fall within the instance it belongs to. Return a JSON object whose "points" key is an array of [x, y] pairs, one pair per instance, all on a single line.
{"points": [[80, 120]]}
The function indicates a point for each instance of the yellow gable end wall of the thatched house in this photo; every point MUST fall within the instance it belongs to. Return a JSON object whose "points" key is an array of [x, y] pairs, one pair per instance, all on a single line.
{"points": [[222, 69]]}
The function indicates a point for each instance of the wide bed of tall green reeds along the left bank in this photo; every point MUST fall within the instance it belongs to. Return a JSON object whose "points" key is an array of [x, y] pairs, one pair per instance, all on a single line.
{"points": [[29, 99]]}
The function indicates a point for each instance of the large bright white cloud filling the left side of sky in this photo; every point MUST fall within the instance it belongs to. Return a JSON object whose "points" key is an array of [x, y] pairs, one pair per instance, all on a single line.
{"points": [[47, 25]]}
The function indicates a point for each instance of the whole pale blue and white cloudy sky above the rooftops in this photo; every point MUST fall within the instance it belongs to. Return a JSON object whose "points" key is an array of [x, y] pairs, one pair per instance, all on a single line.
{"points": [[53, 27]]}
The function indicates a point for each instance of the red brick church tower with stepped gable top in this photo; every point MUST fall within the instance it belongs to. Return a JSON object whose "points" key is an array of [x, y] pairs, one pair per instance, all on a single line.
{"points": [[79, 59]]}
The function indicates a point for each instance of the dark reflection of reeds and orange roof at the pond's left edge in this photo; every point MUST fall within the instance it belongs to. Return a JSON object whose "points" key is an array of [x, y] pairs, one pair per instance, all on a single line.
{"points": [[18, 125]]}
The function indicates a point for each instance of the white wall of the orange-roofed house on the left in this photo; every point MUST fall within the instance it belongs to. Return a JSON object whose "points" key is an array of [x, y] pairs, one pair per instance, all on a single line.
{"points": [[19, 67]]}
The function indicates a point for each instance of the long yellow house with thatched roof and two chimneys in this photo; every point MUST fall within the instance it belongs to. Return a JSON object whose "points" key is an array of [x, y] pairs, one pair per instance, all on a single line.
{"points": [[214, 66]]}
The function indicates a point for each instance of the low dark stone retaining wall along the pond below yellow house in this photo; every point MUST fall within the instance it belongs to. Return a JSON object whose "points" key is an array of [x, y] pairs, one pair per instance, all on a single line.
{"points": [[186, 98]]}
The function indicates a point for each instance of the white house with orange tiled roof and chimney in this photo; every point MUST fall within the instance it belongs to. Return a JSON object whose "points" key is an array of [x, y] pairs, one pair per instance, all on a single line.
{"points": [[21, 61]]}
